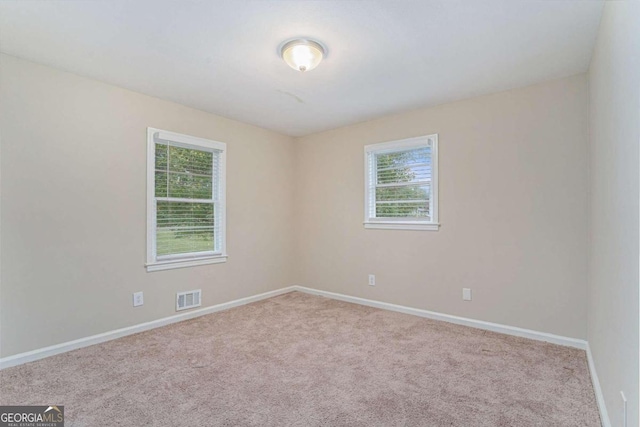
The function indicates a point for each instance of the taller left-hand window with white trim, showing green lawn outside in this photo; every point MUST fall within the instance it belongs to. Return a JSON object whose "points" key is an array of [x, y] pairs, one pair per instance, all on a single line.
{"points": [[185, 201]]}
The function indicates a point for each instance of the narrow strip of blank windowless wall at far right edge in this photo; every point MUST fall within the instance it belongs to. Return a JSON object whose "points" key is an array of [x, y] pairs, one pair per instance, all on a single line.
{"points": [[613, 209]]}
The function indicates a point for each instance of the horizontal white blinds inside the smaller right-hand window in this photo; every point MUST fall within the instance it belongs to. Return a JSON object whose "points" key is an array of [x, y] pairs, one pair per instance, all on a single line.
{"points": [[400, 184]]}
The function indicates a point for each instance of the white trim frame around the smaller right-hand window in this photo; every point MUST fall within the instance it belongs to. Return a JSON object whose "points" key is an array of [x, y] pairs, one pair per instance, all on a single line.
{"points": [[399, 224]]}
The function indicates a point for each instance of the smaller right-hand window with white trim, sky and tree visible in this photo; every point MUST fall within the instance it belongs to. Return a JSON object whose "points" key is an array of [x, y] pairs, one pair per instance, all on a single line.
{"points": [[401, 184]]}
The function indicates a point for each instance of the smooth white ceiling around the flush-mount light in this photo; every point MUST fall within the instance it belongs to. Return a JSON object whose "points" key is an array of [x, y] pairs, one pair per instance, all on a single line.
{"points": [[383, 56]]}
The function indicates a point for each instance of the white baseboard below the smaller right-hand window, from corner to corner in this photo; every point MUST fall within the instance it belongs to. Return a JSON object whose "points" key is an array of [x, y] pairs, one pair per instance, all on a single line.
{"points": [[495, 327]]}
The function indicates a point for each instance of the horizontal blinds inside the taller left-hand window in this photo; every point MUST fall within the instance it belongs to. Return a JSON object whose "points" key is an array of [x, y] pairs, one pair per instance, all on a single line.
{"points": [[187, 201]]}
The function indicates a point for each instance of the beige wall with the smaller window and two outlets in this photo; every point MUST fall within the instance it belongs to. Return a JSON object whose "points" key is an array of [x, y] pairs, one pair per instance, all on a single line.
{"points": [[513, 200]]}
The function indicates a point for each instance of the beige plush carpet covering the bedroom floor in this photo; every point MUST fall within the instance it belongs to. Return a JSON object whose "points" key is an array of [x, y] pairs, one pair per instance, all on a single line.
{"points": [[301, 360]]}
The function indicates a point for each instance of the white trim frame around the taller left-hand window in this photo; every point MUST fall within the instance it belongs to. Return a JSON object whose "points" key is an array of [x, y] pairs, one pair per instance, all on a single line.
{"points": [[188, 260]]}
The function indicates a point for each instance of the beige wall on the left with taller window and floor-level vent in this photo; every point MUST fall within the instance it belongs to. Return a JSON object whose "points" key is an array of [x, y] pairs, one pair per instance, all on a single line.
{"points": [[73, 208]]}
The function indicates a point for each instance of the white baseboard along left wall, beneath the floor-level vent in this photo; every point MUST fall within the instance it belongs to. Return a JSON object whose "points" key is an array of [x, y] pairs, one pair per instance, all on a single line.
{"points": [[41, 353]]}
